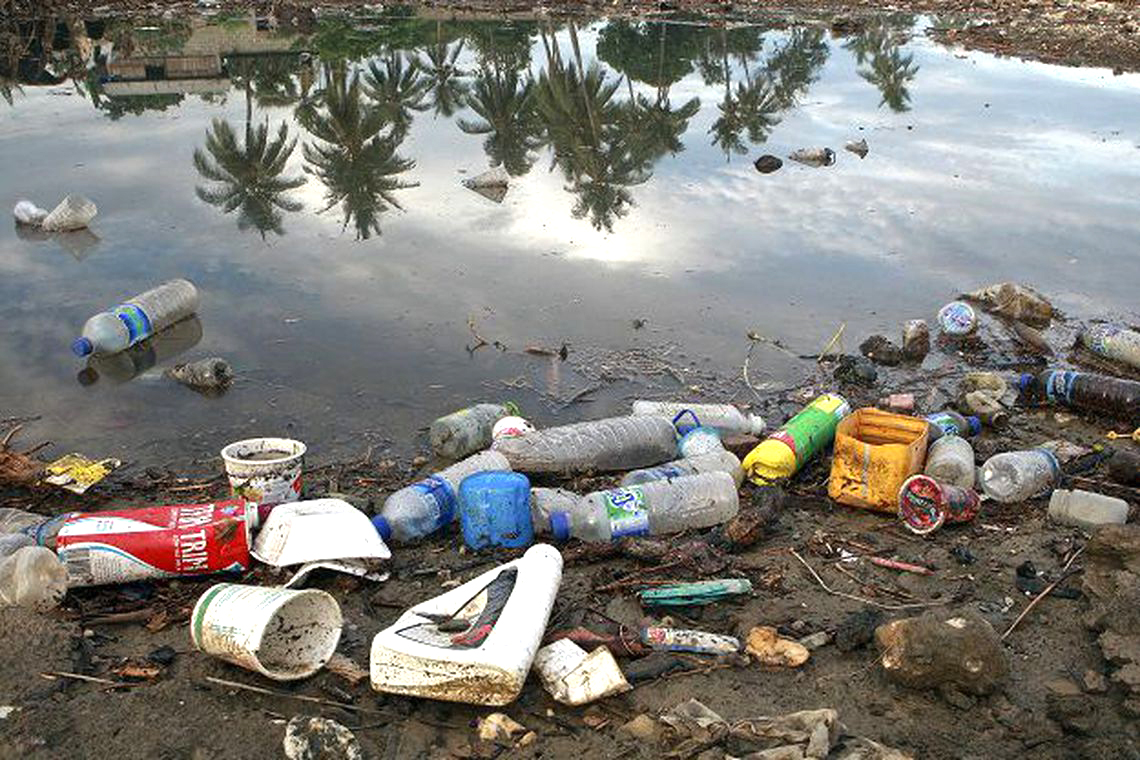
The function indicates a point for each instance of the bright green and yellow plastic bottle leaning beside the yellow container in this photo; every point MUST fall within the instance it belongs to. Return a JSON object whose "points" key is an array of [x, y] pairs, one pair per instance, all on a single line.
{"points": [[784, 453]]}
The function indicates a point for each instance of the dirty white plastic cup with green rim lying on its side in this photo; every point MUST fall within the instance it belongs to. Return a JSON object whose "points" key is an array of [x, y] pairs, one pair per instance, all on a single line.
{"points": [[282, 634]]}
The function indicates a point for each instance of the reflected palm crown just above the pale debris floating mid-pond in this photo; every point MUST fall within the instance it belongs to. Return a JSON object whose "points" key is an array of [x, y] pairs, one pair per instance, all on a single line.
{"points": [[507, 116]]}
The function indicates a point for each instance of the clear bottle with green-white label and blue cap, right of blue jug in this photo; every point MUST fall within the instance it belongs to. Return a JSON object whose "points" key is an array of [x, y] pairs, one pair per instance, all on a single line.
{"points": [[656, 508]]}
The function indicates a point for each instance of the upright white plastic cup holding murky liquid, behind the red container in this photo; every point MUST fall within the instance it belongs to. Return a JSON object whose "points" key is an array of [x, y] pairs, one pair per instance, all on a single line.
{"points": [[265, 481]]}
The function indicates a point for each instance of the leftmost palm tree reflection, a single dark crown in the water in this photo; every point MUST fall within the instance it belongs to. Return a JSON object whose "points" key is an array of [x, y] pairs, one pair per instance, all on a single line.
{"points": [[249, 177]]}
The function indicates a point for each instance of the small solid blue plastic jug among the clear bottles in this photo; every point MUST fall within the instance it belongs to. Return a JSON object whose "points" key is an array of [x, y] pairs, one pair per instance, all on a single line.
{"points": [[495, 511]]}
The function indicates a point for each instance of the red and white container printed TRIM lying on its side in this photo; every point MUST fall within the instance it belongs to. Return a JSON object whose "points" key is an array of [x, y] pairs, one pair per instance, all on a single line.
{"points": [[120, 546]]}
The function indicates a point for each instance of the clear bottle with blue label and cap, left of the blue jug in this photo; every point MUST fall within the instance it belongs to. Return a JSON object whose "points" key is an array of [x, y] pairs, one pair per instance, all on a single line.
{"points": [[425, 508]]}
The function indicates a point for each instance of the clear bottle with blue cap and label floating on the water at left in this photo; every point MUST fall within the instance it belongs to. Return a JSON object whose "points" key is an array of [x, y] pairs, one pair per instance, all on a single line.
{"points": [[137, 320]]}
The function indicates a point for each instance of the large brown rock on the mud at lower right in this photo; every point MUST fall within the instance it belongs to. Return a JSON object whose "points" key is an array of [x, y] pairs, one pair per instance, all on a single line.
{"points": [[927, 652]]}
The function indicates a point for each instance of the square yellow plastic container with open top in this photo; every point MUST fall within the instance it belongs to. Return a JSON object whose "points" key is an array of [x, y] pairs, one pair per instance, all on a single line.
{"points": [[875, 453]]}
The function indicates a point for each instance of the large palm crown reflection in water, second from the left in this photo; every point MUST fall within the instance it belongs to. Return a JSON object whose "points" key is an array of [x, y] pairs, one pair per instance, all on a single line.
{"points": [[356, 162]]}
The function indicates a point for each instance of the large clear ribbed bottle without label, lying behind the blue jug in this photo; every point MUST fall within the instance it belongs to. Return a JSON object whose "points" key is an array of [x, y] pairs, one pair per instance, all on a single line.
{"points": [[615, 444]]}
